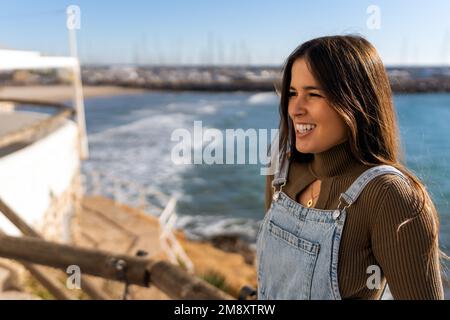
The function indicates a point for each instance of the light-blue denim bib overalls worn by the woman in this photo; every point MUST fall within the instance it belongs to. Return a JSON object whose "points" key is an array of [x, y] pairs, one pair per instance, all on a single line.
{"points": [[298, 247]]}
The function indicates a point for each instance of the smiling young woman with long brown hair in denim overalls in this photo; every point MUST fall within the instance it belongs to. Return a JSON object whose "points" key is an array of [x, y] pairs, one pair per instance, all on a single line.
{"points": [[344, 215]]}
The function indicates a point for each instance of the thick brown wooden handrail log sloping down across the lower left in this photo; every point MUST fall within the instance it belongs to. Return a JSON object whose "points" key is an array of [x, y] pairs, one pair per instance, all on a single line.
{"points": [[171, 279]]}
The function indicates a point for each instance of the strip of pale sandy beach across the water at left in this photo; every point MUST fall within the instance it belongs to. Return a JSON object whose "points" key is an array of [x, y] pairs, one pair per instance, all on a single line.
{"points": [[62, 92]]}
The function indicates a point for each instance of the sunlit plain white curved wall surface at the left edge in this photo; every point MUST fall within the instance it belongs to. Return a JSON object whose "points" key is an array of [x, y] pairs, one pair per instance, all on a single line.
{"points": [[28, 177]]}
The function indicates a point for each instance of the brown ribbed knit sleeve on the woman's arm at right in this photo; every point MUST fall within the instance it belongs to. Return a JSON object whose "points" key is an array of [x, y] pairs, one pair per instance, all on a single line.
{"points": [[402, 240]]}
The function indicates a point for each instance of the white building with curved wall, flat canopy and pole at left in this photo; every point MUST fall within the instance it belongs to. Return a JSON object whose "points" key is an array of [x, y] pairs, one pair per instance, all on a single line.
{"points": [[40, 155]]}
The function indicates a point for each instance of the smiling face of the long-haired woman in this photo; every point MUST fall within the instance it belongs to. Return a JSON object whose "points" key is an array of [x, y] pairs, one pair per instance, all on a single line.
{"points": [[318, 126]]}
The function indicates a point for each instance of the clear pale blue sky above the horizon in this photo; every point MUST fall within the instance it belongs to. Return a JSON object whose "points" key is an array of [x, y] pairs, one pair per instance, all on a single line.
{"points": [[230, 32]]}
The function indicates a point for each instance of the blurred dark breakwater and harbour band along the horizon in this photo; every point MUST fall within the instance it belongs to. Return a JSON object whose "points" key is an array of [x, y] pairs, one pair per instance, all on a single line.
{"points": [[218, 78]]}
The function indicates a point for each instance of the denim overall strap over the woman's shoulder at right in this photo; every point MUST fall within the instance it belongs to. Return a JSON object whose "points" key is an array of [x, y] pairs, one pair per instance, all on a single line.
{"points": [[353, 192]]}
